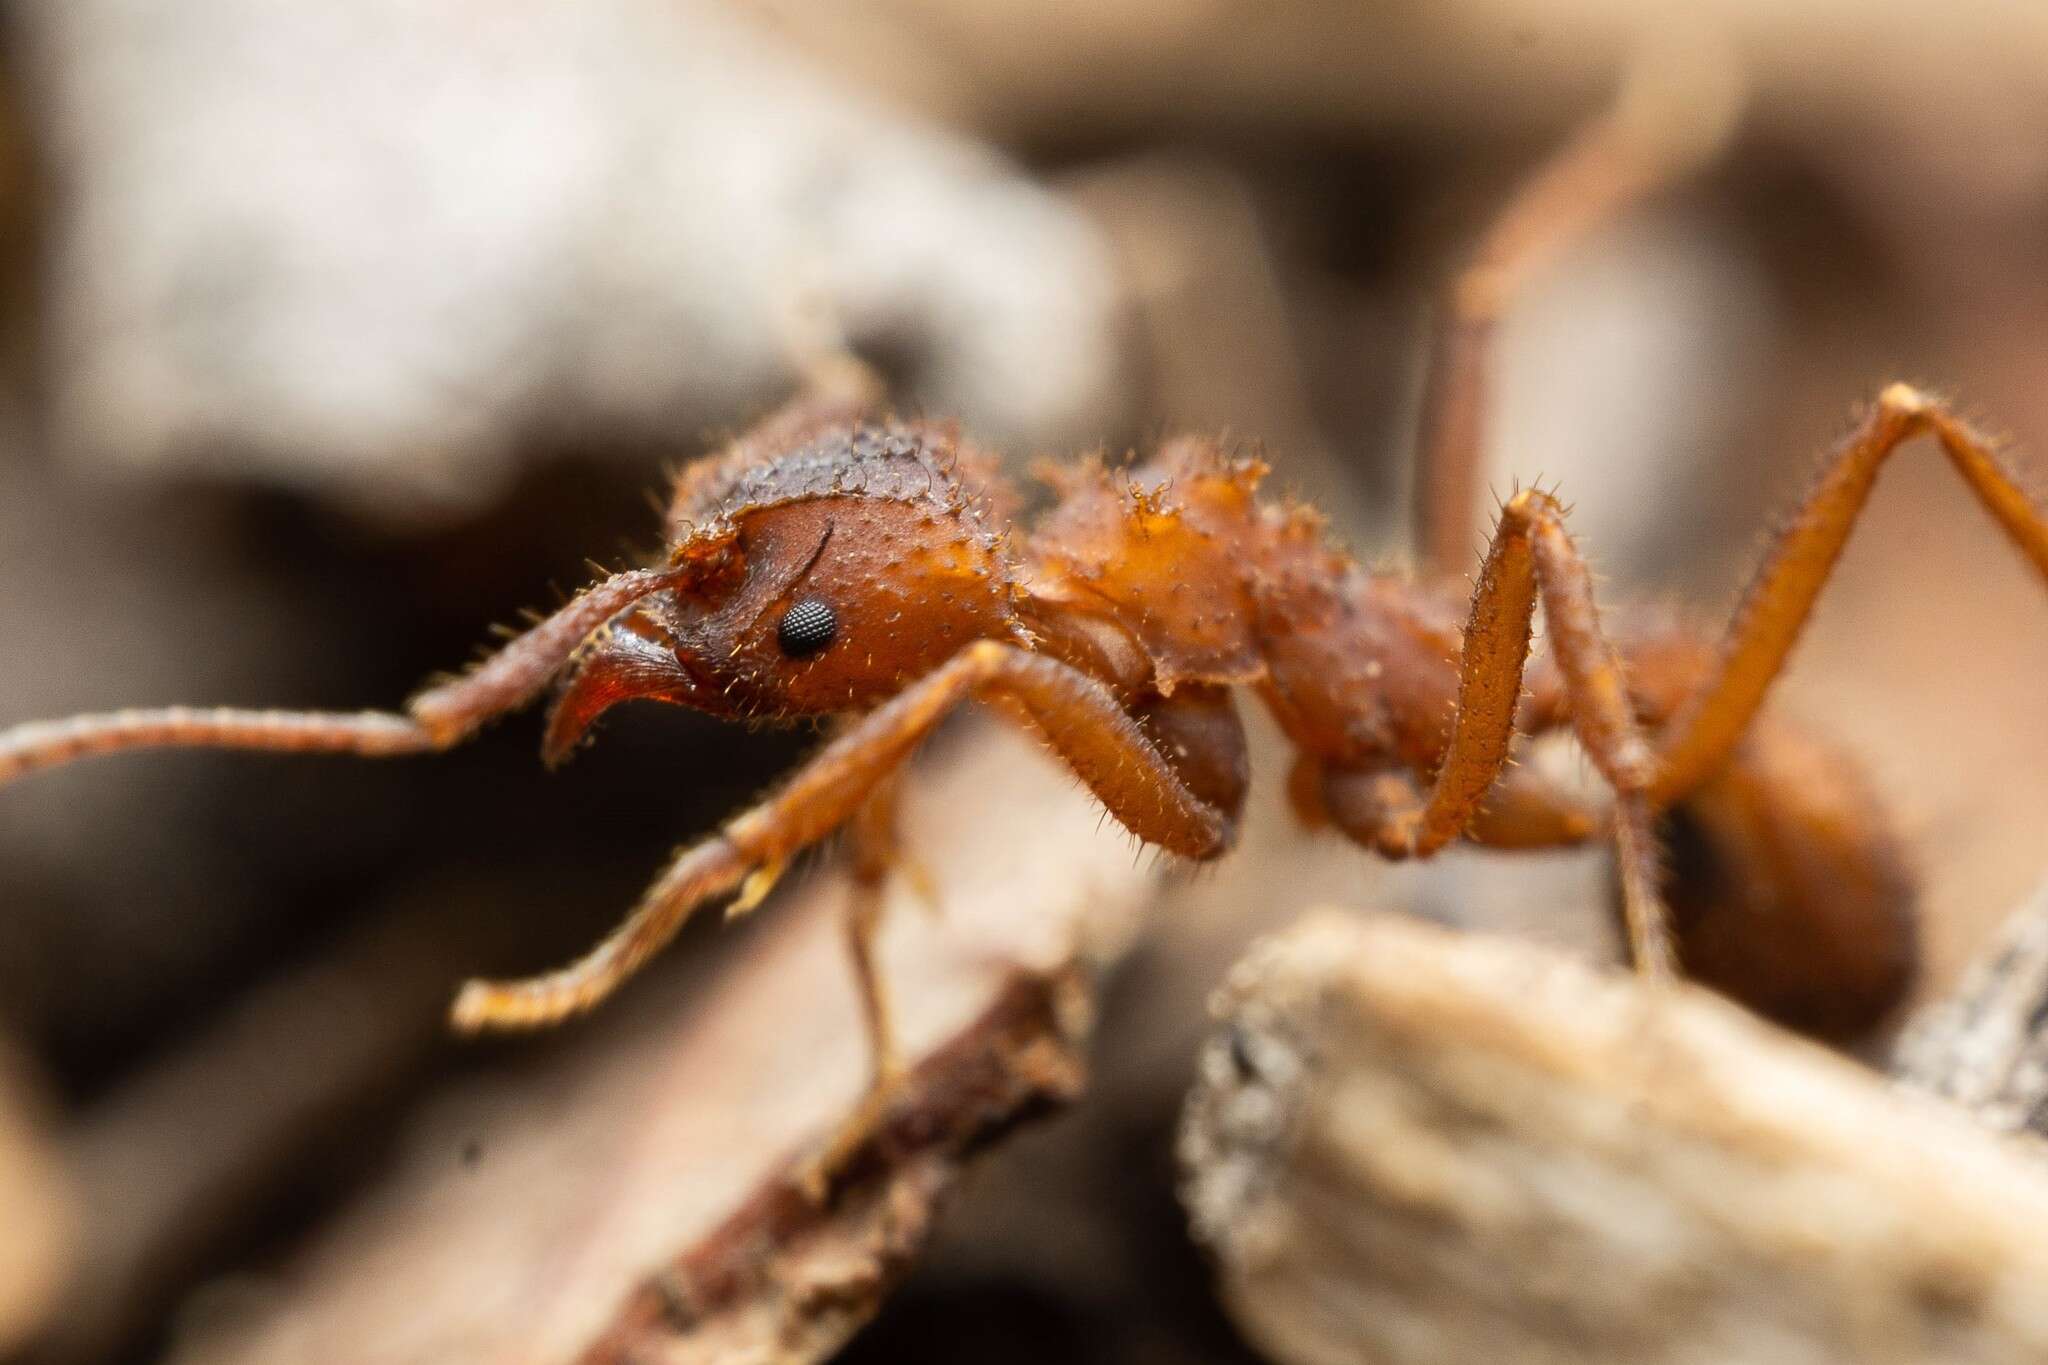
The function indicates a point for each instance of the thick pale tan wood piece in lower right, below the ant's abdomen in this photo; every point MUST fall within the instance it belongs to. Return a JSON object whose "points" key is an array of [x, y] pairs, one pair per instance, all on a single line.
{"points": [[1412, 1145]]}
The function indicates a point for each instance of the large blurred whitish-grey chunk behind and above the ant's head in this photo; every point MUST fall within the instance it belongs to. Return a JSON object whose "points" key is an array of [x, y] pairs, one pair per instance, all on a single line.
{"points": [[374, 251]]}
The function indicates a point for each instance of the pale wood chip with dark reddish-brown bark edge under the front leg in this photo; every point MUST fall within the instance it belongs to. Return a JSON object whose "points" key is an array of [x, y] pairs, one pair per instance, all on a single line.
{"points": [[638, 1194]]}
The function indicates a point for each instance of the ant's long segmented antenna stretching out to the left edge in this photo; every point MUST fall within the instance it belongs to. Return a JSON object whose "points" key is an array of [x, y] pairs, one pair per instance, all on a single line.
{"points": [[439, 717]]}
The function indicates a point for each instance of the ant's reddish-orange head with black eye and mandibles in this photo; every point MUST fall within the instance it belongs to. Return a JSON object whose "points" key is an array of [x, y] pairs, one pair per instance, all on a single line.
{"points": [[814, 576]]}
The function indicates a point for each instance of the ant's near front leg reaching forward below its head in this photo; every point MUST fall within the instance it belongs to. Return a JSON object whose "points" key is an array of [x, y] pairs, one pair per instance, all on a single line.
{"points": [[1080, 717]]}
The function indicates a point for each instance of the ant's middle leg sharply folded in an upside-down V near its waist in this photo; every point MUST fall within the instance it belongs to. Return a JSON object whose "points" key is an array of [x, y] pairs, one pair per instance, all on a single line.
{"points": [[1531, 552]]}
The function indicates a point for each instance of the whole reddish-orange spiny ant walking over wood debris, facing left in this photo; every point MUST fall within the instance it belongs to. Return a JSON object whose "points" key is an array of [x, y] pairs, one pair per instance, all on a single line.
{"points": [[843, 564]]}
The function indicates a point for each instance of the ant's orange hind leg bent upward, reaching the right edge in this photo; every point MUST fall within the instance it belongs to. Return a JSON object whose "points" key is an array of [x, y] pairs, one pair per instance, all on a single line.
{"points": [[1701, 738]]}
